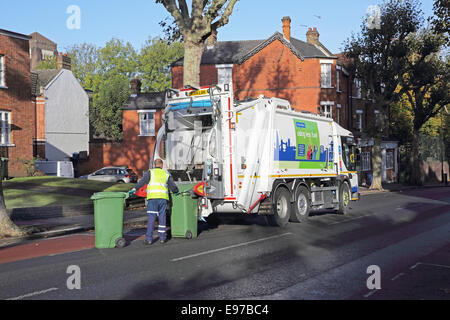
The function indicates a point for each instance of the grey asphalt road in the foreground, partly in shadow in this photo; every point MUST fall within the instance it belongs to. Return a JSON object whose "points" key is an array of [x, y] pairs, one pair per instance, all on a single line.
{"points": [[406, 235]]}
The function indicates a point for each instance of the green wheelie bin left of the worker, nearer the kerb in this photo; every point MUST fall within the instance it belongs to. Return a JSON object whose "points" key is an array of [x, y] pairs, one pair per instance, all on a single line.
{"points": [[108, 219]]}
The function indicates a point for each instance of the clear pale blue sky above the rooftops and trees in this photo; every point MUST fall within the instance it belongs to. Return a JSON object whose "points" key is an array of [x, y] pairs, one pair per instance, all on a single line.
{"points": [[137, 20]]}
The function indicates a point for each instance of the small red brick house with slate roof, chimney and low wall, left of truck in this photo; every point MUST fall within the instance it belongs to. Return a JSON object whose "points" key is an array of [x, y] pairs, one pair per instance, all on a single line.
{"points": [[141, 119]]}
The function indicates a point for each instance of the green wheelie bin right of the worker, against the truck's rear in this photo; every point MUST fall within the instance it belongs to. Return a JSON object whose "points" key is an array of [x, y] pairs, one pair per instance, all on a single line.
{"points": [[184, 220]]}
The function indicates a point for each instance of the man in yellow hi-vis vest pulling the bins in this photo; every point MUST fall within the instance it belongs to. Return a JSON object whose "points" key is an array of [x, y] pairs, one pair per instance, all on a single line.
{"points": [[158, 183]]}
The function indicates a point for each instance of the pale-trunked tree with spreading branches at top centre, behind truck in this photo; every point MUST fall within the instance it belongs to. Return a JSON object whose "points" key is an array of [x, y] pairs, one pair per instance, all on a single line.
{"points": [[206, 17]]}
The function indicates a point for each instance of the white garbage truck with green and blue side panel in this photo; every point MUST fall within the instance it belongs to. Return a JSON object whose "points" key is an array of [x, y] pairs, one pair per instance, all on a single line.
{"points": [[256, 156]]}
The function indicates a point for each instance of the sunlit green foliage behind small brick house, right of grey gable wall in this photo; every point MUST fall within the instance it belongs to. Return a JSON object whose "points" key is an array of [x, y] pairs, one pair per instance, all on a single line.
{"points": [[107, 71]]}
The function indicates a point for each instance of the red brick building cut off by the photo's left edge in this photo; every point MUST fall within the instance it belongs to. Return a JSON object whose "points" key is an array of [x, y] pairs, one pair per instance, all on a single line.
{"points": [[17, 125]]}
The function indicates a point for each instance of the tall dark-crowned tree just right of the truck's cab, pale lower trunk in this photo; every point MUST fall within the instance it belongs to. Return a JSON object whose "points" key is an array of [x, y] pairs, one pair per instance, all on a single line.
{"points": [[377, 57]]}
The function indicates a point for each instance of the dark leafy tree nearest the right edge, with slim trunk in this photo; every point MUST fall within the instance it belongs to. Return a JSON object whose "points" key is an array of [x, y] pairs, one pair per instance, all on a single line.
{"points": [[426, 84]]}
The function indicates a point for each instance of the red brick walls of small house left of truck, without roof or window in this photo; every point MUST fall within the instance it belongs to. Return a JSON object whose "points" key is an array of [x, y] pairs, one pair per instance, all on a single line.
{"points": [[134, 151]]}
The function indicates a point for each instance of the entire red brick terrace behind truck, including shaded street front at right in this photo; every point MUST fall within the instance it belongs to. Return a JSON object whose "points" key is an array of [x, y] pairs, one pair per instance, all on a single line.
{"points": [[304, 72]]}
